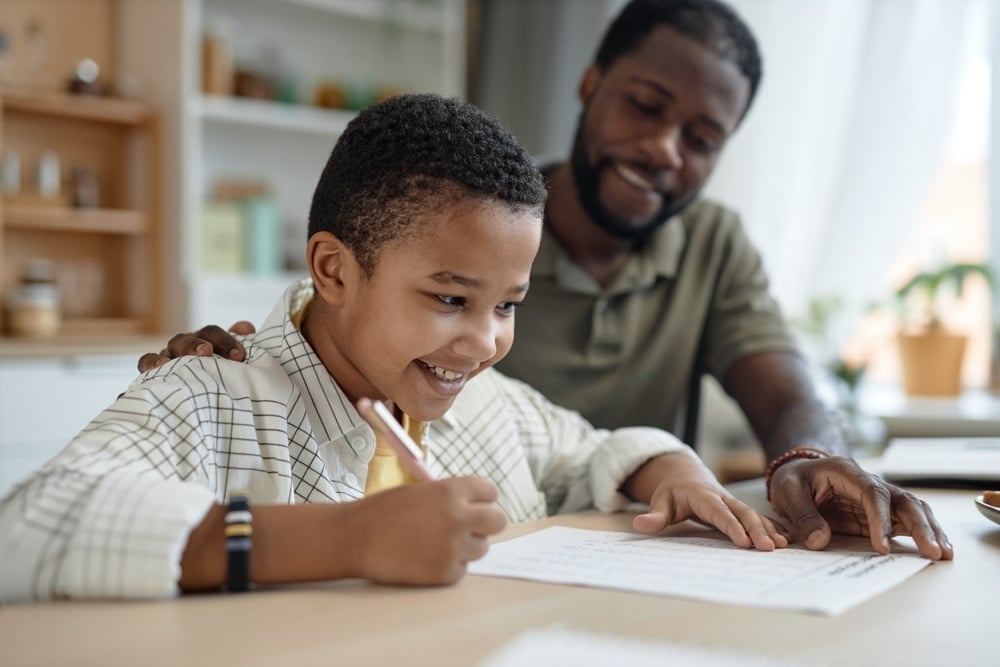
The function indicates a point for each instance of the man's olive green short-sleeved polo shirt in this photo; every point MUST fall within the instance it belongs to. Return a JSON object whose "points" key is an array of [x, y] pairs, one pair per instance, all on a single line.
{"points": [[623, 354]]}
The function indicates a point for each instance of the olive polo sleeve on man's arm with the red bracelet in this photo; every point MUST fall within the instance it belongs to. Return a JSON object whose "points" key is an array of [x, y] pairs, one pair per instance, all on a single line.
{"points": [[743, 318]]}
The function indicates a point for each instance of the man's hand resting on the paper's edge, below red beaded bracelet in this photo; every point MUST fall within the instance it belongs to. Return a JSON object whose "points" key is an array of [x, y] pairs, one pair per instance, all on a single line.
{"points": [[835, 495]]}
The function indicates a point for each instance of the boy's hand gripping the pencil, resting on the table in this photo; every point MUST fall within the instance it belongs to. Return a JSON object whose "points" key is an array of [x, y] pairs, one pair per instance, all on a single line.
{"points": [[425, 533]]}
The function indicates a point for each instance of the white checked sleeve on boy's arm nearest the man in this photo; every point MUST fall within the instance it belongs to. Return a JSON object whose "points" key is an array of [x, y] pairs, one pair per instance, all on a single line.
{"points": [[574, 464]]}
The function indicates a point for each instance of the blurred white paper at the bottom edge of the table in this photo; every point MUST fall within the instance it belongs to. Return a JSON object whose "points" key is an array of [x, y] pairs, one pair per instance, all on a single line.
{"points": [[559, 646]]}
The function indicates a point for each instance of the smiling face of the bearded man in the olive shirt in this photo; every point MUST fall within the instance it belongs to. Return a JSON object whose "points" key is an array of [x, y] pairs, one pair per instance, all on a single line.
{"points": [[651, 130]]}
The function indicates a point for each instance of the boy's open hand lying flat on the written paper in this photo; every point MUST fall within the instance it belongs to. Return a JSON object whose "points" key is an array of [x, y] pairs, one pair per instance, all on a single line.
{"points": [[683, 488]]}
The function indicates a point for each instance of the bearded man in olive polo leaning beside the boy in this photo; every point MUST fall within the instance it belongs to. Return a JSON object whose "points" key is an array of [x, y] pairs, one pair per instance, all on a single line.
{"points": [[639, 285]]}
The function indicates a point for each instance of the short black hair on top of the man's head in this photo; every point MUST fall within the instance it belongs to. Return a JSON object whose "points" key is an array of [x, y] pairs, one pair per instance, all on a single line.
{"points": [[711, 23]]}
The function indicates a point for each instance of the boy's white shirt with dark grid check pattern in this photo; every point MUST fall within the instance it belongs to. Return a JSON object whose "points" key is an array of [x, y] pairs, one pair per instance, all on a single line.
{"points": [[110, 515]]}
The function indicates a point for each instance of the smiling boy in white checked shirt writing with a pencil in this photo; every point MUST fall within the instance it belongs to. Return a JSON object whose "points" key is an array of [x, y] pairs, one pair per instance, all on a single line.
{"points": [[422, 231]]}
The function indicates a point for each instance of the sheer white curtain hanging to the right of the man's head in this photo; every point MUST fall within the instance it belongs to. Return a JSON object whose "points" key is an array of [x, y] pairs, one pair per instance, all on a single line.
{"points": [[832, 165]]}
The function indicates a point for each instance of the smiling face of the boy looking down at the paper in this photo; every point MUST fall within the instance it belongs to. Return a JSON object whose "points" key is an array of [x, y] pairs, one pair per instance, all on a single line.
{"points": [[436, 311]]}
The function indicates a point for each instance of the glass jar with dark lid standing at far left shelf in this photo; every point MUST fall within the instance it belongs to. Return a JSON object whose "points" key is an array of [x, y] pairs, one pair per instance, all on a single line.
{"points": [[33, 305]]}
